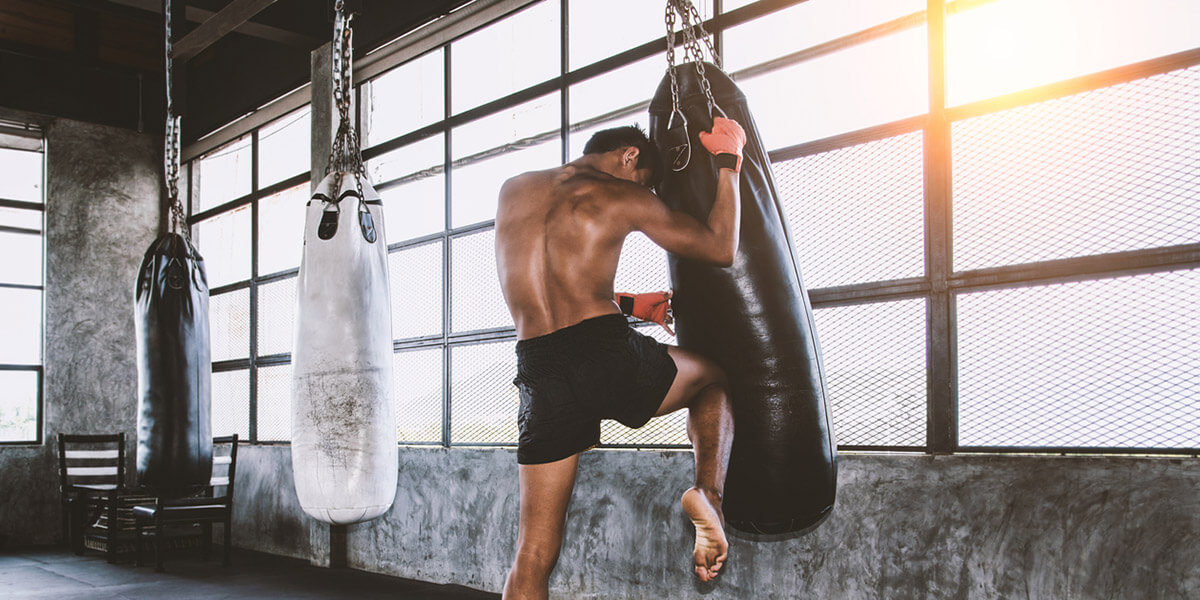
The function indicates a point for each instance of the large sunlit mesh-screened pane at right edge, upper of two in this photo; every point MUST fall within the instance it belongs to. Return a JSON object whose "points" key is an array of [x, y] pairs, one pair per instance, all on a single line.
{"points": [[1106, 171]]}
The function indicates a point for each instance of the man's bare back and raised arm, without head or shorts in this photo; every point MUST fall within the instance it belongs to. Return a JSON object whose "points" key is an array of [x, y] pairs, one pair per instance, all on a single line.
{"points": [[560, 233]]}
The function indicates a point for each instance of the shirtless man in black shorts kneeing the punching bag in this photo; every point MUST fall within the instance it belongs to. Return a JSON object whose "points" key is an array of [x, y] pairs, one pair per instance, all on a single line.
{"points": [[559, 239]]}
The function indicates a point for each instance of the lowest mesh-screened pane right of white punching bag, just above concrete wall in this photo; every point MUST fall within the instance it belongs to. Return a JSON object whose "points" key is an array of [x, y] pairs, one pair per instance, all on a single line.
{"points": [[417, 394]]}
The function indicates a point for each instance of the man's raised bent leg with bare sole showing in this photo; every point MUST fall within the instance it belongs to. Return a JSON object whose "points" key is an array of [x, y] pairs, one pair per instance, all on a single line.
{"points": [[701, 387]]}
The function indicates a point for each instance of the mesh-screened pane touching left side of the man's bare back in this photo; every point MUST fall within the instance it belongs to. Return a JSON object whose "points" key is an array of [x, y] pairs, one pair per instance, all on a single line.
{"points": [[476, 301]]}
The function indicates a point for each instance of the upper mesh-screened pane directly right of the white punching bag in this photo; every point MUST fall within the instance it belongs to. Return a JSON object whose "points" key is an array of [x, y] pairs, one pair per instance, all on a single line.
{"points": [[415, 278]]}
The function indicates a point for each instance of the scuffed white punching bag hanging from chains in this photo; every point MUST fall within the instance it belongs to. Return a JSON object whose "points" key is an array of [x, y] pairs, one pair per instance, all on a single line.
{"points": [[344, 434]]}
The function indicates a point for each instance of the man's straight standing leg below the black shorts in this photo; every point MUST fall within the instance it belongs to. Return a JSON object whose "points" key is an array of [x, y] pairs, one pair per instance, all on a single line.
{"points": [[545, 495]]}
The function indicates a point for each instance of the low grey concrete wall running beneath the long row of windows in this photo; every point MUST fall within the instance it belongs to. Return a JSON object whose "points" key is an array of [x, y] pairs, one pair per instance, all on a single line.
{"points": [[955, 527]]}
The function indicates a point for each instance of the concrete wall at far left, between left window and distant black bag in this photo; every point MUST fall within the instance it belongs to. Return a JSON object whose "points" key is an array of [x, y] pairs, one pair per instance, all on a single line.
{"points": [[103, 211]]}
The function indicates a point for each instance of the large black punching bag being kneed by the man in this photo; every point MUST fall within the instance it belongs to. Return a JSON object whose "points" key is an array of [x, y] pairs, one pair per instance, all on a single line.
{"points": [[754, 320]]}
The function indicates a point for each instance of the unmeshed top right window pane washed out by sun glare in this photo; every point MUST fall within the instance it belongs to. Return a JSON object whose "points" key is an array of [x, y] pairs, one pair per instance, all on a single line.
{"points": [[1013, 45]]}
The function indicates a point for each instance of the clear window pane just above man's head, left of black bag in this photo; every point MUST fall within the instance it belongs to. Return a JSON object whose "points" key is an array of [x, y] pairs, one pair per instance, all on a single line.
{"points": [[627, 88]]}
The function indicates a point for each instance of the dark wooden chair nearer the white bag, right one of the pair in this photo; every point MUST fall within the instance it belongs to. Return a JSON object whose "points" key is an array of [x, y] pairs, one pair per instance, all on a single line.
{"points": [[200, 511]]}
